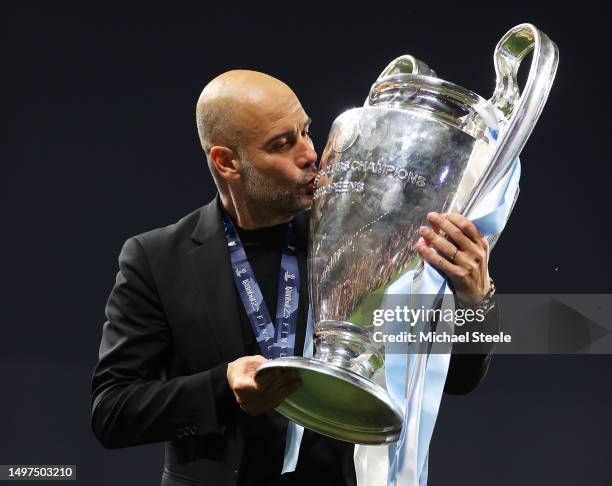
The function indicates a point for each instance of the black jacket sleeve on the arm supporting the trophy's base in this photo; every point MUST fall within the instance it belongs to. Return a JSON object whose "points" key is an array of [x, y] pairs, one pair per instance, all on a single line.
{"points": [[131, 403]]}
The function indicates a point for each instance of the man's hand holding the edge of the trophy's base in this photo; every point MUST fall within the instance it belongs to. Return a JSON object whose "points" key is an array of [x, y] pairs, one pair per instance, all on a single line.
{"points": [[255, 396]]}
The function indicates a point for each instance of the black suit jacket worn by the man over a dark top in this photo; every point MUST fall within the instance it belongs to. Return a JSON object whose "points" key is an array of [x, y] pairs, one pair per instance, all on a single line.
{"points": [[172, 319]]}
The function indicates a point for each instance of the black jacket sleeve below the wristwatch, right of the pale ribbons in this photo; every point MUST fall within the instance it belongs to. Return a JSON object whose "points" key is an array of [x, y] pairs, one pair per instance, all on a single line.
{"points": [[470, 362]]}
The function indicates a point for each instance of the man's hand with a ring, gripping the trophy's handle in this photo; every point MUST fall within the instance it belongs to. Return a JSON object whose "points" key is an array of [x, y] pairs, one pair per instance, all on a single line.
{"points": [[463, 256]]}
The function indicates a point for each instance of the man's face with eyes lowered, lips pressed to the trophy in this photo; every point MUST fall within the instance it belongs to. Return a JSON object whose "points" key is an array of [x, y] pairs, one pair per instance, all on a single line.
{"points": [[278, 158]]}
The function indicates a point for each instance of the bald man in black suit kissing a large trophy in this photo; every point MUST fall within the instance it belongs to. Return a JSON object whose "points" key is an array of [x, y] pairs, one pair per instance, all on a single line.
{"points": [[179, 350]]}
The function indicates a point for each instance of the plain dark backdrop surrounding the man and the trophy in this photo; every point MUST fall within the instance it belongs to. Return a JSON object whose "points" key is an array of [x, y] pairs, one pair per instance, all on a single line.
{"points": [[101, 144]]}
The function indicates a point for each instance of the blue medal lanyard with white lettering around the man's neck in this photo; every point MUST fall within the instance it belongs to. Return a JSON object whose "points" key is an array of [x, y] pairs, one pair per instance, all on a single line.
{"points": [[273, 342]]}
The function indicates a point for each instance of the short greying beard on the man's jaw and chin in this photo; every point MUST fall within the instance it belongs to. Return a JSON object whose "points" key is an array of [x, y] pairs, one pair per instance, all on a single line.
{"points": [[286, 200]]}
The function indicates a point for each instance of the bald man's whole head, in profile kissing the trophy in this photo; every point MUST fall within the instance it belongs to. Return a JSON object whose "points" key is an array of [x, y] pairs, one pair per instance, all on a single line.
{"points": [[254, 132]]}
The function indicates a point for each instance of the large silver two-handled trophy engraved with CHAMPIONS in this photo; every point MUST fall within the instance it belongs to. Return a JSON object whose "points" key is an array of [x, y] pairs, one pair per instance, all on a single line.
{"points": [[419, 144]]}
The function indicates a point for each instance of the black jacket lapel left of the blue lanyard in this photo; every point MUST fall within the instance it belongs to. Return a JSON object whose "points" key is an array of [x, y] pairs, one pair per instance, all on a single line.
{"points": [[213, 274]]}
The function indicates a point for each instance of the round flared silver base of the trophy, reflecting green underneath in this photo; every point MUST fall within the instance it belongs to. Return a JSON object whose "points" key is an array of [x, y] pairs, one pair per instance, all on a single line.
{"points": [[338, 403]]}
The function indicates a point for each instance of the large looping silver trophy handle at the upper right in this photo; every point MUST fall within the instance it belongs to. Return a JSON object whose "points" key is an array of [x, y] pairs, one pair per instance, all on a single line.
{"points": [[521, 112]]}
